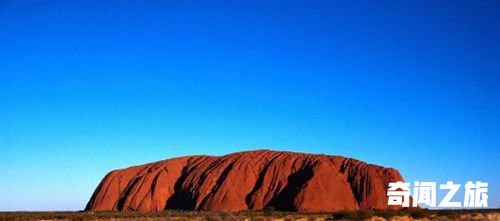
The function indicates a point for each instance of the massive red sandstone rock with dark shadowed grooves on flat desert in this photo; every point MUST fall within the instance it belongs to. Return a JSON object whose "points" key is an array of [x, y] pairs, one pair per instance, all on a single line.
{"points": [[253, 180]]}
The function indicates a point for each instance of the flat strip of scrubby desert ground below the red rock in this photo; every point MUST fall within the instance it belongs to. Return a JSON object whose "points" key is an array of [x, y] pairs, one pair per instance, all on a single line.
{"points": [[372, 215]]}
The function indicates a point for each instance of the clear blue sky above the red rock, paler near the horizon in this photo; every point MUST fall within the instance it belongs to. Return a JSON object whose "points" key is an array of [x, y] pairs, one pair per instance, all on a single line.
{"points": [[87, 87]]}
